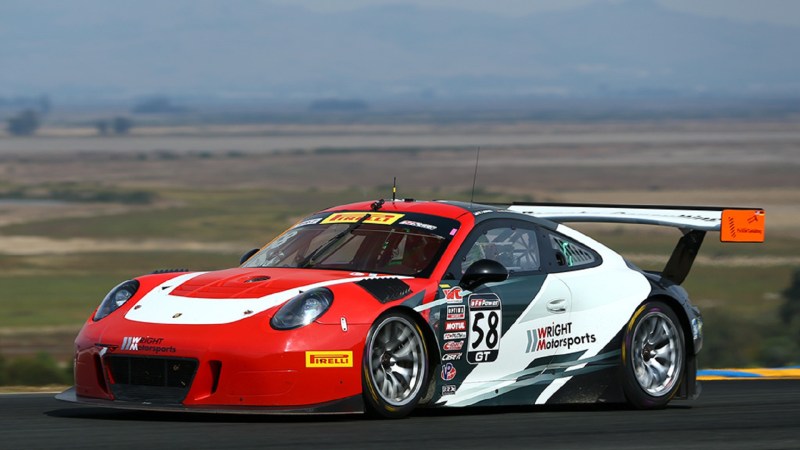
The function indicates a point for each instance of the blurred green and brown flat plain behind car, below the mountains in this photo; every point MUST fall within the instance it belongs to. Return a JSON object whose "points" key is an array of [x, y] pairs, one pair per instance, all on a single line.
{"points": [[76, 222]]}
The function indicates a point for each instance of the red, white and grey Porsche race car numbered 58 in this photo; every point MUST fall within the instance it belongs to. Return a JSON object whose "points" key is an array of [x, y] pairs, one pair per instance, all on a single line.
{"points": [[383, 307]]}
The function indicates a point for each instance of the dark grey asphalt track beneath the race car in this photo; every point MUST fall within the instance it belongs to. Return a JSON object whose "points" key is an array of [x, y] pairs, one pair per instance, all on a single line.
{"points": [[739, 414]]}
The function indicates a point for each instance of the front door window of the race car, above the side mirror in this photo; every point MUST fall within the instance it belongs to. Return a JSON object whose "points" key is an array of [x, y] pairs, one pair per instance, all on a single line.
{"points": [[515, 248]]}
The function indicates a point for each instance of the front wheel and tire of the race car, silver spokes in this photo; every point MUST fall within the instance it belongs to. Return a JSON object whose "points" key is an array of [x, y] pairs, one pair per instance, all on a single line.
{"points": [[395, 366]]}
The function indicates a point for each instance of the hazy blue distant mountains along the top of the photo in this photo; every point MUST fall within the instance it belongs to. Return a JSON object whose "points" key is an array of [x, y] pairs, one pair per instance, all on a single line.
{"points": [[246, 48]]}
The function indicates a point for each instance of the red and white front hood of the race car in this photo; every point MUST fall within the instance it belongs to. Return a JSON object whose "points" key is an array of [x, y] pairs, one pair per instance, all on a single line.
{"points": [[229, 295]]}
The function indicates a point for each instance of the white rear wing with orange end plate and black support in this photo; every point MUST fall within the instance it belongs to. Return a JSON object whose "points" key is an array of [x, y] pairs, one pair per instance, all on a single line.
{"points": [[734, 224]]}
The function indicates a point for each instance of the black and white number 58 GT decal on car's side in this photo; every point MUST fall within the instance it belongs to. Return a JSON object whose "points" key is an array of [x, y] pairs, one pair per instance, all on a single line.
{"points": [[485, 319]]}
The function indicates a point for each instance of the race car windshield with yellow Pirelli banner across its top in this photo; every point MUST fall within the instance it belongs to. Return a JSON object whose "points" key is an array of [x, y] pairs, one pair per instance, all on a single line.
{"points": [[397, 244]]}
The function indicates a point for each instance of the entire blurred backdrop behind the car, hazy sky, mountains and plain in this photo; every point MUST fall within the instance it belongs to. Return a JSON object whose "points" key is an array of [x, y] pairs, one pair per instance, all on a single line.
{"points": [[151, 135]]}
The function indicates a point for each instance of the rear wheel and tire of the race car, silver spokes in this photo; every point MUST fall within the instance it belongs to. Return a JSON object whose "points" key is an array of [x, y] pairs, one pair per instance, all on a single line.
{"points": [[654, 356]]}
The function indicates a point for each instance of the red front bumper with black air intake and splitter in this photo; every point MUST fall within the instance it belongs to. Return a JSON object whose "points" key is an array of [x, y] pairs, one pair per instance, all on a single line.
{"points": [[242, 367]]}
